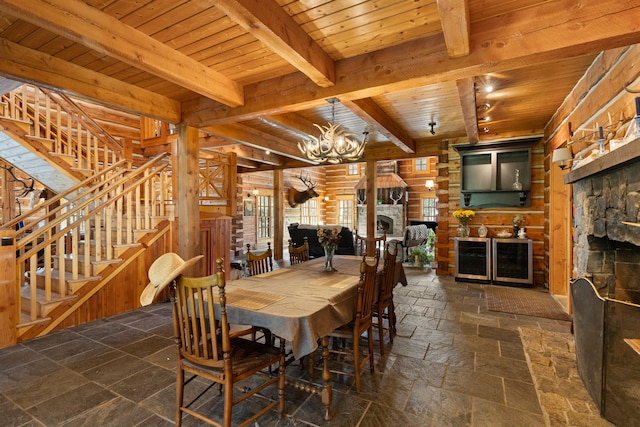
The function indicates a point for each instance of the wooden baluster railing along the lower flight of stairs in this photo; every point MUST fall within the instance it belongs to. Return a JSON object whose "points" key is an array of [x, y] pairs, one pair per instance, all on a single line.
{"points": [[86, 231]]}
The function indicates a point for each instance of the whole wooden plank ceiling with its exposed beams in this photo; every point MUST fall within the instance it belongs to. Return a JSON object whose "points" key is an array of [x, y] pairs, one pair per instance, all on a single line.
{"points": [[256, 74]]}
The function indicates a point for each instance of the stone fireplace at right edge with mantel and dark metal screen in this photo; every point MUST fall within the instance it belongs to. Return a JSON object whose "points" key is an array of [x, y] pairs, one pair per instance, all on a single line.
{"points": [[606, 297]]}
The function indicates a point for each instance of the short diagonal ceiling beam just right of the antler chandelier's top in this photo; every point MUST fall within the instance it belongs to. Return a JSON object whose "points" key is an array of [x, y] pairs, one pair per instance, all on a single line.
{"points": [[370, 112]]}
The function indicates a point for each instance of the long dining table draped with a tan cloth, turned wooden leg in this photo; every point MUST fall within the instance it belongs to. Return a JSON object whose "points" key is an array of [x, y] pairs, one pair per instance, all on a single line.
{"points": [[301, 304]]}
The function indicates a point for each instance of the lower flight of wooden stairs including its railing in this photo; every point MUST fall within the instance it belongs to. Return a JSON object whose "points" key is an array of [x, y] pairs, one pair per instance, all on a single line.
{"points": [[85, 236]]}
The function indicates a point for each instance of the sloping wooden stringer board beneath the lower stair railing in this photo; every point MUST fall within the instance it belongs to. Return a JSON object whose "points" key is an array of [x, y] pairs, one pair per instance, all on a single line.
{"points": [[150, 245]]}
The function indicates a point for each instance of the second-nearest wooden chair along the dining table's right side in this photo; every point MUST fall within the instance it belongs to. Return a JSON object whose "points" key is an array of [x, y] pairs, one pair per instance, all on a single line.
{"points": [[384, 308]]}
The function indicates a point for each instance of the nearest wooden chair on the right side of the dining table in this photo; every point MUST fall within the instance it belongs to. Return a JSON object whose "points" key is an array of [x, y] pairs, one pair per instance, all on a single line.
{"points": [[352, 331]]}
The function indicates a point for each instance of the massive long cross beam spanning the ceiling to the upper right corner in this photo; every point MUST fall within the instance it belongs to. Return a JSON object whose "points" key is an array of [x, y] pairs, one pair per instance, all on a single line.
{"points": [[518, 39]]}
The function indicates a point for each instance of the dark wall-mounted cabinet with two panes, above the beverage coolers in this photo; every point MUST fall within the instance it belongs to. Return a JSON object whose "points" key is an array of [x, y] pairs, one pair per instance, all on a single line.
{"points": [[495, 174]]}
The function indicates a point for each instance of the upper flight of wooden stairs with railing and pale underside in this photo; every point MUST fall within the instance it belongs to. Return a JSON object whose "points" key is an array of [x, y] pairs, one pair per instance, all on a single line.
{"points": [[50, 138]]}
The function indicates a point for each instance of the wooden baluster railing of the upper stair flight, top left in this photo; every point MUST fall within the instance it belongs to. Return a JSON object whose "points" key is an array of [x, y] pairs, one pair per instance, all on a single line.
{"points": [[65, 127]]}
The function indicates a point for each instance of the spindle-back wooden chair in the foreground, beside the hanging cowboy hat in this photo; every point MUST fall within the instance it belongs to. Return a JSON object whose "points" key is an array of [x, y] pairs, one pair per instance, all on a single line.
{"points": [[206, 350]]}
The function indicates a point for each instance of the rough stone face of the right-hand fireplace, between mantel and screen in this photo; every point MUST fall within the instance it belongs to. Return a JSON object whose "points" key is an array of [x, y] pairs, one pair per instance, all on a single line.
{"points": [[606, 250]]}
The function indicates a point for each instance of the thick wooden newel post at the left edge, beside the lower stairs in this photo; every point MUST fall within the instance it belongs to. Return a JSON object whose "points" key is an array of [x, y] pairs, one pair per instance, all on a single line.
{"points": [[8, 289]]}
